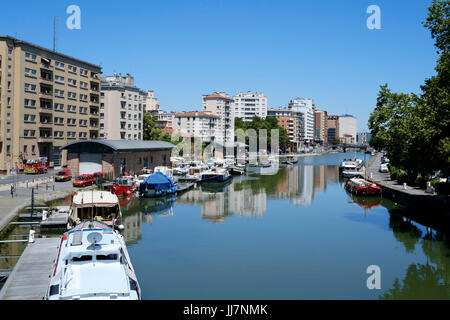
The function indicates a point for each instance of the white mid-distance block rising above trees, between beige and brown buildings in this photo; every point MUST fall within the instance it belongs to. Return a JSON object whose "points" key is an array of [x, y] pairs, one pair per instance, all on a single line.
{"points": [[248, 105]]}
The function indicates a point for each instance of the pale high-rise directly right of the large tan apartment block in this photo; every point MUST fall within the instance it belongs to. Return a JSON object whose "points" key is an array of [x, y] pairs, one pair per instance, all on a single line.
{"points": [[121, 109]]}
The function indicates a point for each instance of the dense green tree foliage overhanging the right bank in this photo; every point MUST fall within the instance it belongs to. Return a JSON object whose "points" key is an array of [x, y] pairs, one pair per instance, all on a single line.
{"points": [[414, 128]]}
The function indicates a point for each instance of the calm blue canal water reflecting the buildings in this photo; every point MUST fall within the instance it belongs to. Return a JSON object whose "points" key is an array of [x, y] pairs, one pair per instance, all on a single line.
{"points": [[294, 235]]}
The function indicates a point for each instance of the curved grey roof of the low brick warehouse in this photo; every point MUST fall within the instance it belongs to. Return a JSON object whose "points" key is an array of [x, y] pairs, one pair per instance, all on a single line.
{"points": [[89, 146]]}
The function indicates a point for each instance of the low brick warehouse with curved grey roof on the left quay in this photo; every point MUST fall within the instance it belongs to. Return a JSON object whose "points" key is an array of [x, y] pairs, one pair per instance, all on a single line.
{"points": [[116, 156]]}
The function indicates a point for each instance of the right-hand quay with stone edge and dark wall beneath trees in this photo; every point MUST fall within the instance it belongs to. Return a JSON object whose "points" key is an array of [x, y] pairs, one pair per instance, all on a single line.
{"points": [[427, 208]]}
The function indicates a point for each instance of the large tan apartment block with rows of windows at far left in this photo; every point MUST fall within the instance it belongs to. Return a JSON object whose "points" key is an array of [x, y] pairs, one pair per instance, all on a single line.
{"points": [[47, 99]]}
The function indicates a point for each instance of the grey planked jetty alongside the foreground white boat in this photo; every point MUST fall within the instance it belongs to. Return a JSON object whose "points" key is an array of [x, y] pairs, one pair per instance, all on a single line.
{"points": [[30, 277]]}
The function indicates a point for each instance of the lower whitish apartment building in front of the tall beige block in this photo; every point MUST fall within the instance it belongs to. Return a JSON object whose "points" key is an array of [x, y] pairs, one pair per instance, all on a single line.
{"points": [[197, 124]]}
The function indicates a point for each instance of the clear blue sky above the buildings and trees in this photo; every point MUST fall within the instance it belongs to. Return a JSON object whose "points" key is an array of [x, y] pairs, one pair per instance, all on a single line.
{"points": [[286, 49]]}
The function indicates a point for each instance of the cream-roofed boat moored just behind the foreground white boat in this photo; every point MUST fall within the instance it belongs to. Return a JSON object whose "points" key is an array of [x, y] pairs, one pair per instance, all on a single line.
{"points": [[95, 205]]}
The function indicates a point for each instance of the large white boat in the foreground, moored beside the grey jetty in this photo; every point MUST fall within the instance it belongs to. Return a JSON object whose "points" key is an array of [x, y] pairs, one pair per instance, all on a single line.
{"points": [[93, 264]]}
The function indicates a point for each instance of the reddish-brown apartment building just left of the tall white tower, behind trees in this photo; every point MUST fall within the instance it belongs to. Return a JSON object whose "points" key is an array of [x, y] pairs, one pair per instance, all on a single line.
{"points": [[293, 122]]}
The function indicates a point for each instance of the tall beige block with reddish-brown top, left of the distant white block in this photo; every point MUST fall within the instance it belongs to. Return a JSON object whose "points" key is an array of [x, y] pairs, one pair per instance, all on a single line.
{"points": [[220, 104]]}
